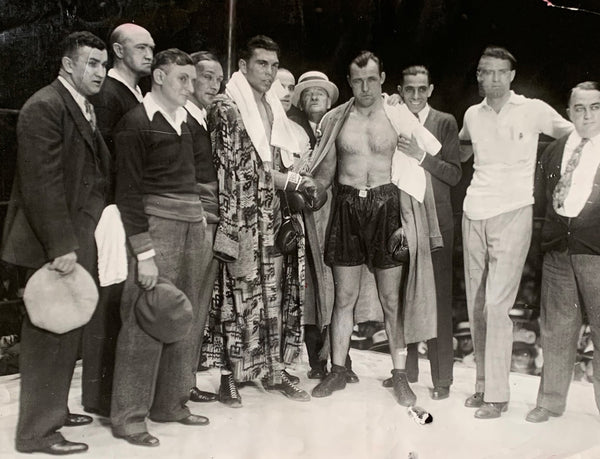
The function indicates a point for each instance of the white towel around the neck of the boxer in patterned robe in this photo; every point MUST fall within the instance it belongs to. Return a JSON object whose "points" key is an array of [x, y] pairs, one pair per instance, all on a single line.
{"points": [[282, 135]]}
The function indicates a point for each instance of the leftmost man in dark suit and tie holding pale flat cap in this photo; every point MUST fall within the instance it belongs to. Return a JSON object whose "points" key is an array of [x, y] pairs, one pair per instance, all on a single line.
{"points": [[58, 196]]}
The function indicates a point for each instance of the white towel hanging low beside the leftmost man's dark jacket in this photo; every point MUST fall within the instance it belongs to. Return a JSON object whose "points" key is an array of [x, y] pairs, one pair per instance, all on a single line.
{"points": [[112, 252]]}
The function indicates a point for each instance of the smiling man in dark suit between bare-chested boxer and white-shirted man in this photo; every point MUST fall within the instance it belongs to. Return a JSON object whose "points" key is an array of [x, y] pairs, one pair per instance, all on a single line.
{"points": [[415, 90]]}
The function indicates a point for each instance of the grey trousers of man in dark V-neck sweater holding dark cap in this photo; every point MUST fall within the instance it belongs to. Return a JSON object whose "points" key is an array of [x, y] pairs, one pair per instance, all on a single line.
{"points": [[153, 378]]}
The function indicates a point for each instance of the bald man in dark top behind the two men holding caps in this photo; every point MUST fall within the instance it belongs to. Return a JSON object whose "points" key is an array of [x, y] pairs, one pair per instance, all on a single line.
{"points": [[132, 50]]}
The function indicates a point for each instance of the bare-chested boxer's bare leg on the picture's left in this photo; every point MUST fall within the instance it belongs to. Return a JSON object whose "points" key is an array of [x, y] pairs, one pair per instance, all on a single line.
{"points": [[347, 288]]}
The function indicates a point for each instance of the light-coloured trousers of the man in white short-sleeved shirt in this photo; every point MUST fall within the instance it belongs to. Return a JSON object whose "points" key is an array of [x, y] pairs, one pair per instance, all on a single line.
{"points": [[495, 250]]}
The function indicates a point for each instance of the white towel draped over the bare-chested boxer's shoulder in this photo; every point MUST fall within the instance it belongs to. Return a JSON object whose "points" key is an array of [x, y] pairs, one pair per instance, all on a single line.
{"points": [[407, 174]]}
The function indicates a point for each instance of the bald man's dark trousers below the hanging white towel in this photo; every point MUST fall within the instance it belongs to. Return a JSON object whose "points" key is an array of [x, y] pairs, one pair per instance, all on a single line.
{"points": [[98, 349]]}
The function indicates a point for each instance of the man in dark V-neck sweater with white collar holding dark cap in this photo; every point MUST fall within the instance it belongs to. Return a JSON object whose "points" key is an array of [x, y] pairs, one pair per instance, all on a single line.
{"points": [[164, 221]]}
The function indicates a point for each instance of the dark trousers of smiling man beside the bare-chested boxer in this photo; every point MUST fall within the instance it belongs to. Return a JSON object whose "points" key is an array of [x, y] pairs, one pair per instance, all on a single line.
{"points": [[440, 351]]}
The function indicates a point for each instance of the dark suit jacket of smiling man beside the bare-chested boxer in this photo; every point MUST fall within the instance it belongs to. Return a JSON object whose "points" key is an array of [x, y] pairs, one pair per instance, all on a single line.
{"points": [[445, 167]]}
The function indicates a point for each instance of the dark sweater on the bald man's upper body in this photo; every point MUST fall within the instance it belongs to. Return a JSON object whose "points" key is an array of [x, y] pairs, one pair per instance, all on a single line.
{"points": [[110, 104]]}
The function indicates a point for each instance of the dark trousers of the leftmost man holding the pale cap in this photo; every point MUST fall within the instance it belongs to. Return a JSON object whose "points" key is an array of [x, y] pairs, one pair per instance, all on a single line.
{"points": [[46, 364]]}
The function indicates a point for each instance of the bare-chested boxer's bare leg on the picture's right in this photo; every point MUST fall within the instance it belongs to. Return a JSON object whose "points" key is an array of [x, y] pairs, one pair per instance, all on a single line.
{"points": [[388, 289]]}
